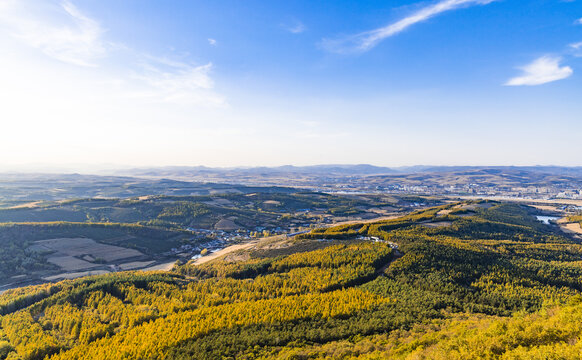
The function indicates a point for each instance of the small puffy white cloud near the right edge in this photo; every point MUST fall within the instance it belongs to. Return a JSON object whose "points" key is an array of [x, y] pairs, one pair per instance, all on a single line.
{"points": [[541, 71]]}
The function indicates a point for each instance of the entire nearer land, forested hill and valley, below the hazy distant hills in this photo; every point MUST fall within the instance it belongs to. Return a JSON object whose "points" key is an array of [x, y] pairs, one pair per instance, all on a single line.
{"points": [[284, 272]]}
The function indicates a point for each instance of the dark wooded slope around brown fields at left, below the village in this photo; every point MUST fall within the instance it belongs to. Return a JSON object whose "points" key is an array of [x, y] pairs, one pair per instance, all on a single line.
{"points": [[40, 252]]}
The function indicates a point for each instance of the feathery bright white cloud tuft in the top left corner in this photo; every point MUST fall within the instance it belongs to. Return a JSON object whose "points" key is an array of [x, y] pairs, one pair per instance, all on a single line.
{"points": [[76, 40]]}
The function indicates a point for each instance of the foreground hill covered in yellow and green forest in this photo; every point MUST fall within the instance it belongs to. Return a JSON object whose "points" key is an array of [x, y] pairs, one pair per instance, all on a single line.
{"points": [[461, 281]]}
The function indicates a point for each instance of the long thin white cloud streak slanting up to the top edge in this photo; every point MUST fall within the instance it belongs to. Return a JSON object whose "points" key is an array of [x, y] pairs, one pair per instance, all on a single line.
{"points": [[366, 40]]}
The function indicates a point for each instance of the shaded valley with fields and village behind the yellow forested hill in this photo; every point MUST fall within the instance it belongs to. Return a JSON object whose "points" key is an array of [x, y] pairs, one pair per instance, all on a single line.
{"points": [[47, 240]]}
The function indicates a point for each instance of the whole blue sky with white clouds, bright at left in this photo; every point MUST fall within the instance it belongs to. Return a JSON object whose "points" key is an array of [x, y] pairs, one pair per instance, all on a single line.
{"points": [[101, 83]]}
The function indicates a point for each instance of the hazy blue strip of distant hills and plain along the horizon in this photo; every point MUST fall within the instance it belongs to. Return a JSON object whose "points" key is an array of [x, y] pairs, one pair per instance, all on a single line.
{"points": [[201, 180]]}
